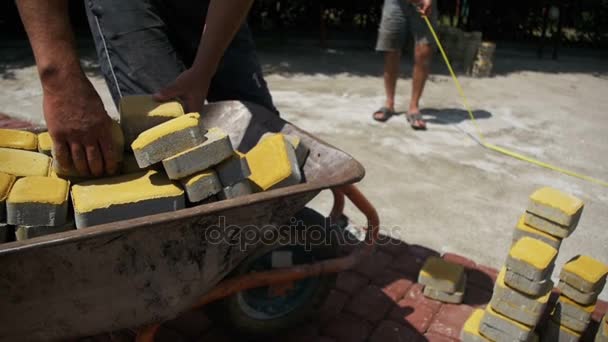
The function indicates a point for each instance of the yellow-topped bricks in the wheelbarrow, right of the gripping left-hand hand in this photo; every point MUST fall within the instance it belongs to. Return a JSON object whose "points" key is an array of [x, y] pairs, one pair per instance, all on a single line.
{"points": [[199, 165]]}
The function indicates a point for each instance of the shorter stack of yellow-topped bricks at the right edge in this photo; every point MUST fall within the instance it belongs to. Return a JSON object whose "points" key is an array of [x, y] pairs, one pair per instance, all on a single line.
{"points": [[581, 281]]}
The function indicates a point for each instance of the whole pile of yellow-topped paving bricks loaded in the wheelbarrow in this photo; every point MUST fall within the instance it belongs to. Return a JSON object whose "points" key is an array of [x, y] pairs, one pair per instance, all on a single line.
{"points": [[168, 161]]}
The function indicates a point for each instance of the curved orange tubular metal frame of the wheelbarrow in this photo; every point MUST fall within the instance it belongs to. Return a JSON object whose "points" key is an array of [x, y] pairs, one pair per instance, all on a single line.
{"points": [[259, 279]]}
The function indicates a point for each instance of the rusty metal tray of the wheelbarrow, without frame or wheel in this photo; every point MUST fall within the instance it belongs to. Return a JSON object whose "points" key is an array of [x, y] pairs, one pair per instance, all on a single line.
{"points": [[149, 269]]}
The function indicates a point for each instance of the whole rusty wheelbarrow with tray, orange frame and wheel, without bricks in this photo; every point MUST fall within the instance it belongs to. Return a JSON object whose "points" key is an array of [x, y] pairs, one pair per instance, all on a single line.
{"points": [[142, 272]]}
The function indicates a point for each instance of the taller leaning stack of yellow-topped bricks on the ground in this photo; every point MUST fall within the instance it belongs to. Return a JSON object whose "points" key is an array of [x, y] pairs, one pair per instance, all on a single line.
{"points": [[523, 286]]}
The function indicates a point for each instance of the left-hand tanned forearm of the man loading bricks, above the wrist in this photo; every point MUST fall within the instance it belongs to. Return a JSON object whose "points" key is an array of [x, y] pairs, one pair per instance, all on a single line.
{"points": [[48, 27]]}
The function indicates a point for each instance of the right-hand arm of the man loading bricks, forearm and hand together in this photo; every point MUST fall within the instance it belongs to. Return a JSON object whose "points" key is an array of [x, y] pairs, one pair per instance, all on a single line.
{"points": [[224, 18]]}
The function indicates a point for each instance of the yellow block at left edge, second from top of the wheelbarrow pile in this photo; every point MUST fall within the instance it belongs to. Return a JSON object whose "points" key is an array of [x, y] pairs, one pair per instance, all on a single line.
{"points": [[24, 163]]}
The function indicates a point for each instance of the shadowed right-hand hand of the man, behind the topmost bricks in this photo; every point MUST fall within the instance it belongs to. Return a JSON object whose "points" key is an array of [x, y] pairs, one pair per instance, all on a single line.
{"points": [[190, 88]]}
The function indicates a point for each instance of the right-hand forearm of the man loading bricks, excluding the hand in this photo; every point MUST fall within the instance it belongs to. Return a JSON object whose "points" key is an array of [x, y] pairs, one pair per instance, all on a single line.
{"points": [[224, 18]]}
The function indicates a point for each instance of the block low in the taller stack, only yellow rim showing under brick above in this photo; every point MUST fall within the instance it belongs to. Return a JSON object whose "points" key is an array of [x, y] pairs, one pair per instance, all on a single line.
{"points": [[519, 306]]}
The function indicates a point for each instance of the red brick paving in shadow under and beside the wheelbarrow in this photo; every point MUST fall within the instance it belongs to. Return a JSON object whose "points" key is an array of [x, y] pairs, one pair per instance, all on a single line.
{"points": [[378, 301]]}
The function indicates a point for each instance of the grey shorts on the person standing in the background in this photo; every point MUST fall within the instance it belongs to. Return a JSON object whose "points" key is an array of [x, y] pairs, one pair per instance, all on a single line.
{"points": [[400, 17]]}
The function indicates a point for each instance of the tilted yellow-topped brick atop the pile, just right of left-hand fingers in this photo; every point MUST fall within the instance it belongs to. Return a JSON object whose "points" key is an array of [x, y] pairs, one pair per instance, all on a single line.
{"points": [[168, 139]]}
